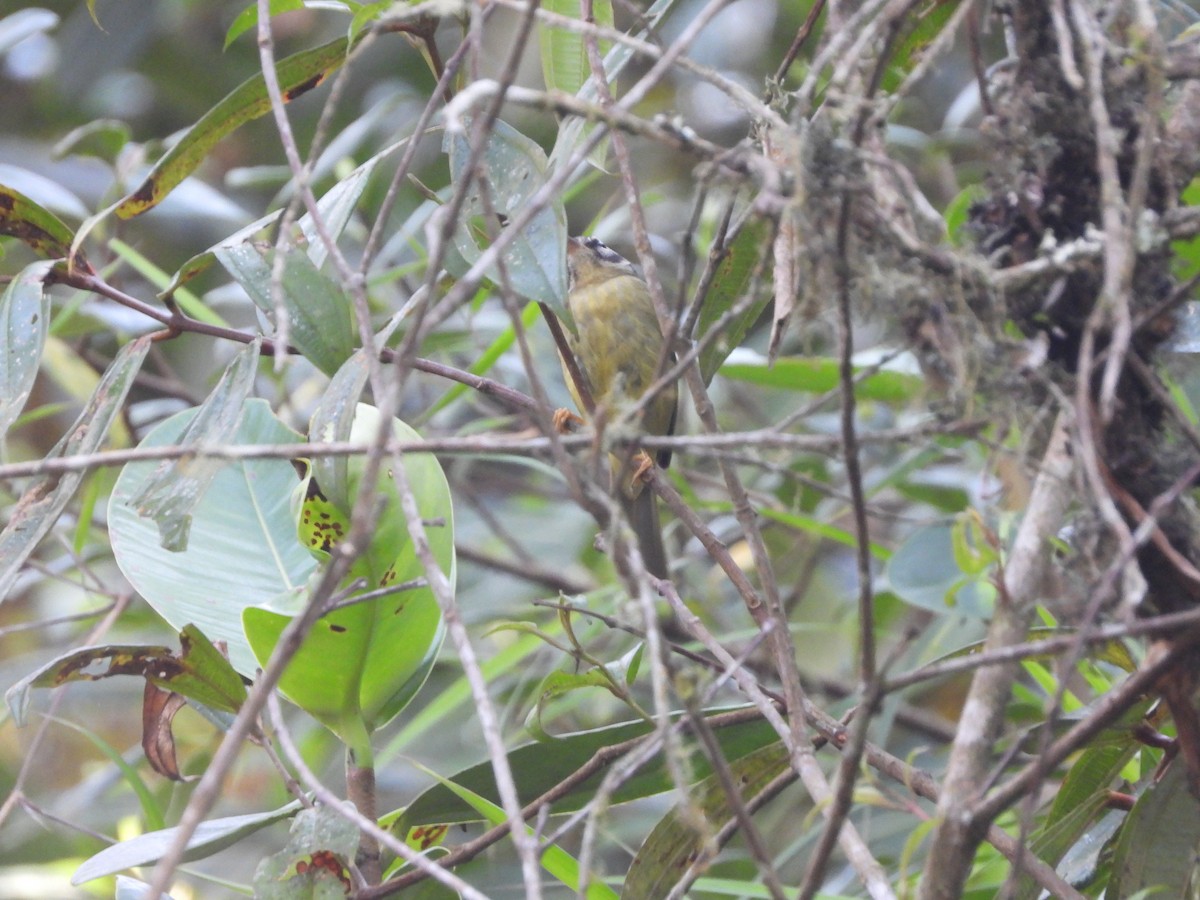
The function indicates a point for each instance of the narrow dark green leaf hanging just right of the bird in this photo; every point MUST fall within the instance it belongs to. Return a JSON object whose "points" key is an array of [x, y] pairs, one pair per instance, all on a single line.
{"points": [[730, 284]]}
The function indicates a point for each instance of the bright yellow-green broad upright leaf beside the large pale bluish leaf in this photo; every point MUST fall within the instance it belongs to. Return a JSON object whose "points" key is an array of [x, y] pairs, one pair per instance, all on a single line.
{"points": [[363, 663]]}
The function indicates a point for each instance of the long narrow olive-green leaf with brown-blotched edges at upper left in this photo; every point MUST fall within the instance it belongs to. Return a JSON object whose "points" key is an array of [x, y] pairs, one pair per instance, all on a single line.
{"points": [[297, 75]]}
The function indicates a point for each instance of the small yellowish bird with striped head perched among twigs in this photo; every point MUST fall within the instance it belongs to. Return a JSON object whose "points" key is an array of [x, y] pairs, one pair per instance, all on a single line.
{"points": [[617, 347]]}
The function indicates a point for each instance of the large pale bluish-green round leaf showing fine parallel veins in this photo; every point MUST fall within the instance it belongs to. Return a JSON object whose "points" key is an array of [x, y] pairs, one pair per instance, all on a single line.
{"points": [[243, 538]]}
